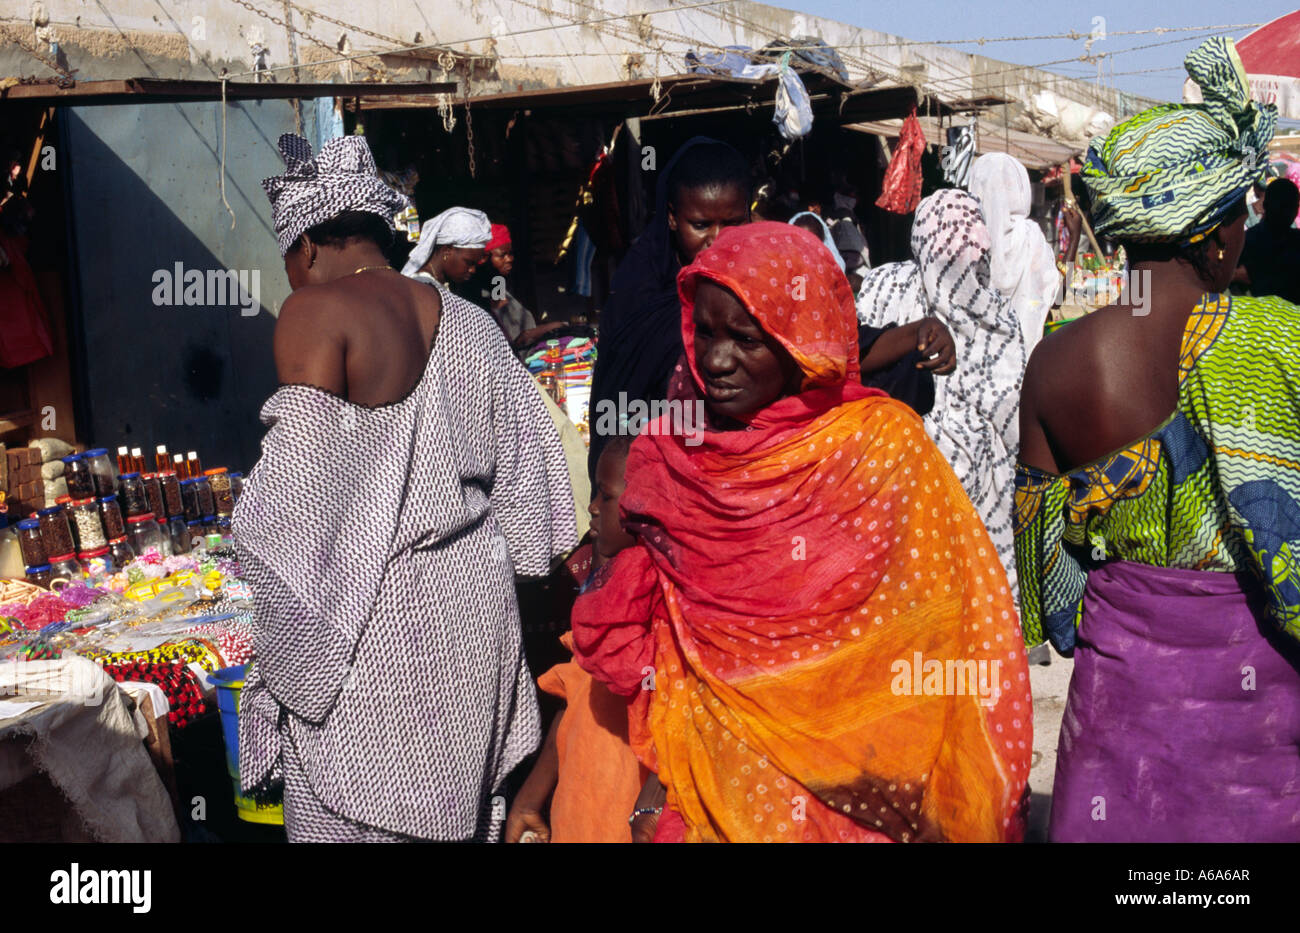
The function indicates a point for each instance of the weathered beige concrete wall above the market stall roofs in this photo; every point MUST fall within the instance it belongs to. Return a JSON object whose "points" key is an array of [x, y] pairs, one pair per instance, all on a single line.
{"points": [[200, 38]]}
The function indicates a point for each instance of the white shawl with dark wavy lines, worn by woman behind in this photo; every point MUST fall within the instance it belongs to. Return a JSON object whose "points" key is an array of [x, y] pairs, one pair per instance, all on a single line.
{"points": [[976, 419]]}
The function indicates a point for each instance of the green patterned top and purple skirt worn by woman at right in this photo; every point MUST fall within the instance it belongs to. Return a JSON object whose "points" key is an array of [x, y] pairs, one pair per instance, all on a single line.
{"points": [[1169, 569]]}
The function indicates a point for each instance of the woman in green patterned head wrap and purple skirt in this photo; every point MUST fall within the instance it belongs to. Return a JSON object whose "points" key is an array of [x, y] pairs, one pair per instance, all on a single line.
{"points": [[1158, 497]]}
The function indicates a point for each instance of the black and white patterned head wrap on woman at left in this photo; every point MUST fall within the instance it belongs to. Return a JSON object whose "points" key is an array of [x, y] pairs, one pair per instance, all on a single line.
{"points": [[311, 192]]}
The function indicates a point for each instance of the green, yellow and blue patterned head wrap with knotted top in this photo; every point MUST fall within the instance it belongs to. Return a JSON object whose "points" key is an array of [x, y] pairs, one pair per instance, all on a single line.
{"points": [[1173, 172]]}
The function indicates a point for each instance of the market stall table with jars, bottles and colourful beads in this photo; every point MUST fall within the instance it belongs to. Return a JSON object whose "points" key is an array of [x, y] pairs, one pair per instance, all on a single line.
{"points": [[144, 618]]}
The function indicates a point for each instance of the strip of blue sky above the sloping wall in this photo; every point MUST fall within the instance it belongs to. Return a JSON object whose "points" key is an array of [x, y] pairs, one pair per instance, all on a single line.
{"points": [[934, 20]]}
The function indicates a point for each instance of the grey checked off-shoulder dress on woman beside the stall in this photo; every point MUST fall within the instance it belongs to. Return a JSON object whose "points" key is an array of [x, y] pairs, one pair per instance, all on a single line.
{"points": [[383, 545]]}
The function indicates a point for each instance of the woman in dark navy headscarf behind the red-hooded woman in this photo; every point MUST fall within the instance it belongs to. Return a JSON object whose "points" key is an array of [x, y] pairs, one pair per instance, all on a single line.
{"points": [[704, 189]]}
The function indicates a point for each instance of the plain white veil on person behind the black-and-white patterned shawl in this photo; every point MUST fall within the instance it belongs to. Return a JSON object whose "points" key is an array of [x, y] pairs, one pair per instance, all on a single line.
{"points": [[1022, 264]]}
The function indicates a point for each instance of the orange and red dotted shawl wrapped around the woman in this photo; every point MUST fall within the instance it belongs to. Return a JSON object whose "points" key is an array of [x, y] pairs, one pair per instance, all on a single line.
{"points": [[786, 579]]}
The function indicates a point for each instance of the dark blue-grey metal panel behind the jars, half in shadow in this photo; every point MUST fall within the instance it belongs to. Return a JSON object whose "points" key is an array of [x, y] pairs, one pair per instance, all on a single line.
{"points": [[145, 193]]}
